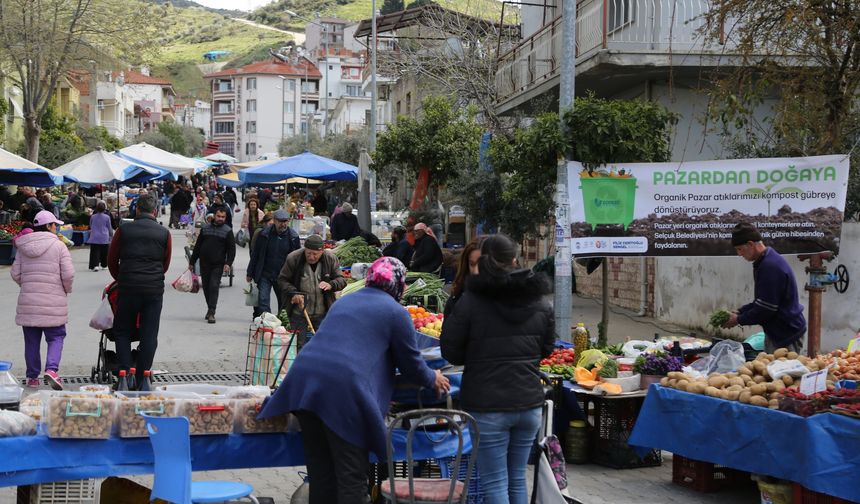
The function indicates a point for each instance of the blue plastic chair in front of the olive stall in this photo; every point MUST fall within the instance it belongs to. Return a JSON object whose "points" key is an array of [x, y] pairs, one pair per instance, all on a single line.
{"points": [[171, 444]]}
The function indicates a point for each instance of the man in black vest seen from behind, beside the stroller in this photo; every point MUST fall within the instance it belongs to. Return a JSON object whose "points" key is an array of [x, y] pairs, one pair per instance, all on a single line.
{"points": [[138, 258]]}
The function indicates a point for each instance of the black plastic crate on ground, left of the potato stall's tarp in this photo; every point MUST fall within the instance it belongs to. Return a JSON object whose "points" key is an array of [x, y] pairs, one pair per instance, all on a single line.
{"points": [[613, 423]]}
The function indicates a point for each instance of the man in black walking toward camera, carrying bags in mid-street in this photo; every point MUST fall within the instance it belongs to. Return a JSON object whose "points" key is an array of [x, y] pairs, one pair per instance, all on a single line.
{"points": [[216, 249]]}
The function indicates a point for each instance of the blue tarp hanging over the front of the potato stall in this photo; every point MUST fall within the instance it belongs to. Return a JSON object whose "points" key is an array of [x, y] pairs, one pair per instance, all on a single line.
{"points": [[821, 452]]}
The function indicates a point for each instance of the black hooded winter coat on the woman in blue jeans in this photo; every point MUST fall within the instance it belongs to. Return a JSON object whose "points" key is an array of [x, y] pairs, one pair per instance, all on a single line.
{"points": [[500, 330]]}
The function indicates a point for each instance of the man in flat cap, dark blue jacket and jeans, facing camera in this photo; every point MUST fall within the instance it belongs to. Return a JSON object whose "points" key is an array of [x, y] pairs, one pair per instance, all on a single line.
{"points": [[271, 249]]}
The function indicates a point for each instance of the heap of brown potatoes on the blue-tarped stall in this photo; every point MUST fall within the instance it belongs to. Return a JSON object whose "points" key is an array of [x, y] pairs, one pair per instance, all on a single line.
{"points": [[751, 384]]}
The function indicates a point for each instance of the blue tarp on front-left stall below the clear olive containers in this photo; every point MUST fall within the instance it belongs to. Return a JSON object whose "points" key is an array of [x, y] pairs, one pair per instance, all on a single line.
{"points": [[30, 460]]}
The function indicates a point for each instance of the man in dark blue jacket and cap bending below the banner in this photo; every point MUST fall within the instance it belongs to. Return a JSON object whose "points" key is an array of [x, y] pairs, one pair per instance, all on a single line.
{"points": [[776, 306]]}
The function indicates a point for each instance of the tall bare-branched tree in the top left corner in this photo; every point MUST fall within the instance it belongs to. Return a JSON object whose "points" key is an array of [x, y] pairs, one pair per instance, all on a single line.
{"points": [[43, 39]]}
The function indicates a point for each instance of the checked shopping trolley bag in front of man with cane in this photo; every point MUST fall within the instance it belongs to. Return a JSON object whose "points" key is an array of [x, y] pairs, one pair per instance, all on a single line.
{"points": [[269, 353]]}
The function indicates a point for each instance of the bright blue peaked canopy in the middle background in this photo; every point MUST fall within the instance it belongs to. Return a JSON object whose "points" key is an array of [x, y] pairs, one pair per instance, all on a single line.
{"points": [[305, 164]]}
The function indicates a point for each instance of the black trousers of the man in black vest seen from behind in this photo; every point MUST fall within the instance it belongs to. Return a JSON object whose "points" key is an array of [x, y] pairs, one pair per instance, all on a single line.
{"points": [[130, 306]]}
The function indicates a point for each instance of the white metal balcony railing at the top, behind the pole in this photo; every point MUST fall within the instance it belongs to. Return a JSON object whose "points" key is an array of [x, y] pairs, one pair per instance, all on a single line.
{"points": [[633, 26]]}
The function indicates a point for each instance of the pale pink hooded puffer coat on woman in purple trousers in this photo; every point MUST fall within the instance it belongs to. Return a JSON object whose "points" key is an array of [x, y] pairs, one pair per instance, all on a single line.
{"points": [[43, 268]]}
